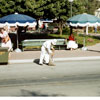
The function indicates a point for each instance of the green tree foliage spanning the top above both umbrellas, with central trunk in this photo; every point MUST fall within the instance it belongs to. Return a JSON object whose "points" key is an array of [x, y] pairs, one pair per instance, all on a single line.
{"points": [[51, 9]]}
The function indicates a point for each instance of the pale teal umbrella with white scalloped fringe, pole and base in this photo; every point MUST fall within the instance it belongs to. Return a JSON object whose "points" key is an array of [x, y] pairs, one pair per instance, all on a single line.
{"points": [[84, 20]]}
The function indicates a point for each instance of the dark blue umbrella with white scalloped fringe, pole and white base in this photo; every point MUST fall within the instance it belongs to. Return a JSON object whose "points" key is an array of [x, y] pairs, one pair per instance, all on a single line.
{"points": [[17, 20]]}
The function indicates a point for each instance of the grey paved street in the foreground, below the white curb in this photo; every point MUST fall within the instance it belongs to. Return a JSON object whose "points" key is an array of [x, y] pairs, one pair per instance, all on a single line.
{"points": [[68, 78]]}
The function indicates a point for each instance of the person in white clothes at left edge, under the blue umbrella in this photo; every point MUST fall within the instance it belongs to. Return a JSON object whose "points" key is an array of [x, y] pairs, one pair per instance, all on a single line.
{"points": [[5, 39]]}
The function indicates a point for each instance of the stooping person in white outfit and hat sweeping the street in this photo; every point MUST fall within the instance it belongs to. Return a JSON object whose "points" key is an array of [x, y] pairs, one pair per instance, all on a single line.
{"points": [[47, 52]]}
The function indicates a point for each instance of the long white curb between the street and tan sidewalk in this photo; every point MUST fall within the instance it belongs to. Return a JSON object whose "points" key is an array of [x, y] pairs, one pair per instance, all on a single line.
{"points": [[56, 59]]}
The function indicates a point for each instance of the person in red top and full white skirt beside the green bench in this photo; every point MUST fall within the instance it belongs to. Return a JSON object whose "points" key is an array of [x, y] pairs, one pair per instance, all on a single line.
{"points": [[72, 43]]}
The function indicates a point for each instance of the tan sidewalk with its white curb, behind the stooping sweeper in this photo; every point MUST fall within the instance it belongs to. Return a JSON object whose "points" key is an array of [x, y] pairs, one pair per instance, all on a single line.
{"points": [[93, 52]]}
